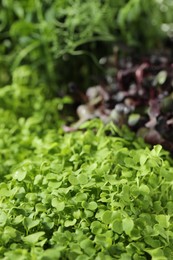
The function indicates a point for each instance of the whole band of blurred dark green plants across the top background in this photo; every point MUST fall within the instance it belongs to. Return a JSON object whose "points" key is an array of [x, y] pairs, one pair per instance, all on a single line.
{"points": [[62, 40]]}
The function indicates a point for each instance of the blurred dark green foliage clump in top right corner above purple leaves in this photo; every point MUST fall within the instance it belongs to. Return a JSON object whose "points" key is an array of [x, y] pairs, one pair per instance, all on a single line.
{"points": [[144, 24]]}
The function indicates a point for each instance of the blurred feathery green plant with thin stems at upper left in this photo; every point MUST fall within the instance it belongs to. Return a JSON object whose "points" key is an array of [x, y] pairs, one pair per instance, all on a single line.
{"points": [[43, 34]]}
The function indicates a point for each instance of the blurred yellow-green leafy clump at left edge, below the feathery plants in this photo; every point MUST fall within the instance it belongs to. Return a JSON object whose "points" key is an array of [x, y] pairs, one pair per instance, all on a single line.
{"points": [[20, 100]]}
